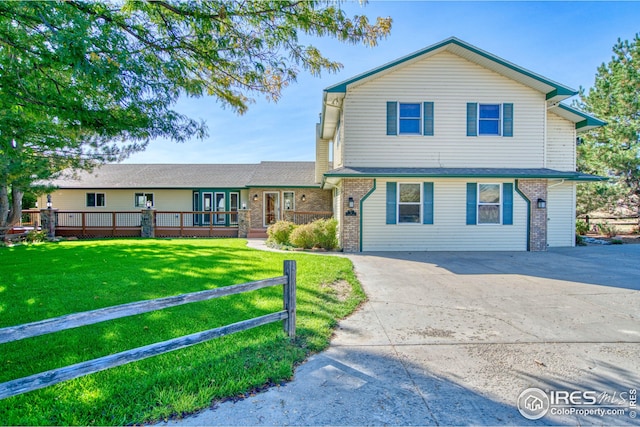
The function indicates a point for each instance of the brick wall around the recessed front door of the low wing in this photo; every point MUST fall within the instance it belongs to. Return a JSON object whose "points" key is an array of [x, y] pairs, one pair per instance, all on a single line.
{"points": [[316, 200]]}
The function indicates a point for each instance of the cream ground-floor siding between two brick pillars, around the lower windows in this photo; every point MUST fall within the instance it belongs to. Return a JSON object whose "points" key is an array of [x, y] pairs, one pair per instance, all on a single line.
{"points": [[449, 231]]}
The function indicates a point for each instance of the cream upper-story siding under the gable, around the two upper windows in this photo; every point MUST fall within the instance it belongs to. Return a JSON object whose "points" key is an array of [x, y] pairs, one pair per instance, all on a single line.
{"points": [[450, 82]]}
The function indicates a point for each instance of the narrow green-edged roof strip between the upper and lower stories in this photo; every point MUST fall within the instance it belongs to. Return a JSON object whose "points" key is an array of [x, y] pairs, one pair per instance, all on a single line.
{"points": [[541, 173]]}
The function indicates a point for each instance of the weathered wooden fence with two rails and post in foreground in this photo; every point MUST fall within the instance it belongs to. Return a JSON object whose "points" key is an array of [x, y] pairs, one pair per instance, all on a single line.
{"points": [[55, 376]]}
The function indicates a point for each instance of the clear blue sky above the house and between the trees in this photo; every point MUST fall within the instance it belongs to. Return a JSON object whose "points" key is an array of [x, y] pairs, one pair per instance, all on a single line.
{"points": [[563, 41]]}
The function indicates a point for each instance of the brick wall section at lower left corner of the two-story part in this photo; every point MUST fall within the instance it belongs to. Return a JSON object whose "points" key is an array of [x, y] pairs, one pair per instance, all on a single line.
{"points": [[350, 224]]}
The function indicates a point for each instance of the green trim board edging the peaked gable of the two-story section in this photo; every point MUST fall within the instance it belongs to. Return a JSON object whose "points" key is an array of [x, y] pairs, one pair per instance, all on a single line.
{"points": [[557, 88]]}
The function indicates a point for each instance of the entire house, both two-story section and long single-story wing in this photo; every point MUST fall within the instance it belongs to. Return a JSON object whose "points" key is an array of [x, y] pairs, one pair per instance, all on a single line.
{"points": [[449, 148]]}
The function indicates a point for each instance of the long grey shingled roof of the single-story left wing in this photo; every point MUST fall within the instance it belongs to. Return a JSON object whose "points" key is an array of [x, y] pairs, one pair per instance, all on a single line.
{"points": [[191, 176]]}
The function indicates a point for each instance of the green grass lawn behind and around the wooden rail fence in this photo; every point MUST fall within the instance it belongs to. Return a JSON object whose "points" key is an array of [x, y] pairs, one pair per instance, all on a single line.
{"points": [[48, 280]]}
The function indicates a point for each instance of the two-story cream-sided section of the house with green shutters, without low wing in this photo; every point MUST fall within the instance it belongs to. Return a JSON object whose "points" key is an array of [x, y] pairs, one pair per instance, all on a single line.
{"points": [[451, 148]]}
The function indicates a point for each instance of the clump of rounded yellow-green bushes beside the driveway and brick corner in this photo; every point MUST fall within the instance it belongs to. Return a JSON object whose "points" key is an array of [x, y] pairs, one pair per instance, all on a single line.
{"points": [[321, 233]]}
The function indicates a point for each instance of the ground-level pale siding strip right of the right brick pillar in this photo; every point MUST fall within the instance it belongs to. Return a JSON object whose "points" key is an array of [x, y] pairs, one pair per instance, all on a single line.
{"points": [[561, 214]]}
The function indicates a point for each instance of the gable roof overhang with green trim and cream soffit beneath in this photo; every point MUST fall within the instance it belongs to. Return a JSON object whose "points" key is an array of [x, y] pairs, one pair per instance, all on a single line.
{"points": [[332, 95]]}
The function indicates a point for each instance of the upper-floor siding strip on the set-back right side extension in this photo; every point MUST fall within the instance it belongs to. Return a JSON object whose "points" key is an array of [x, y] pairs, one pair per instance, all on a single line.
{"points": [[561, 143]]}
